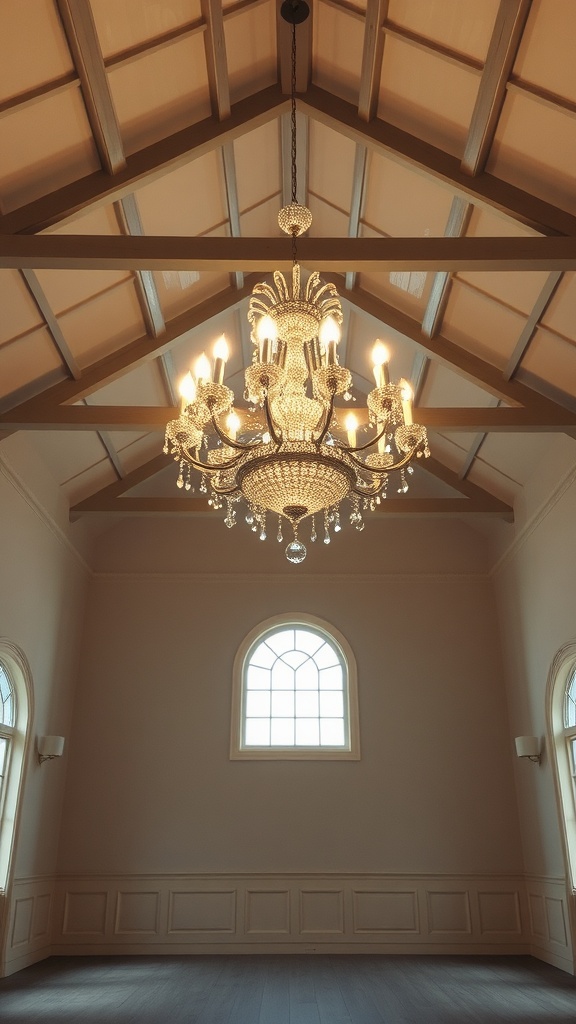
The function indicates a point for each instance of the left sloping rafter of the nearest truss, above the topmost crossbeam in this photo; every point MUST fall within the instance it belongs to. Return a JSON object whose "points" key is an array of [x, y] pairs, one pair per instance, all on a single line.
{"points": [[145, 166]]}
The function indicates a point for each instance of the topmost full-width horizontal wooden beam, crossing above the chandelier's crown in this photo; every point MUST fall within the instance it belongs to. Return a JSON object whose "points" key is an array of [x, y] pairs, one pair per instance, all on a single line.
{"points": [[100, 252]]}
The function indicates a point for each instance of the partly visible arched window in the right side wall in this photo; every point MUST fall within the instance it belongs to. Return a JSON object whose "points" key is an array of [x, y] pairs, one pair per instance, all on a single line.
{"points": [[562, 731]]}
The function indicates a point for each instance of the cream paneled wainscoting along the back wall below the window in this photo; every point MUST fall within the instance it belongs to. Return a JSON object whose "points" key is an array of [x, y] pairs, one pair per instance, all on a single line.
{"points": [[292, 914]]}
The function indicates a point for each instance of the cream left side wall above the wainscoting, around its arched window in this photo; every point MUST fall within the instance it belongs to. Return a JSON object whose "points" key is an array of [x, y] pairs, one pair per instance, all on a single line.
{"points": [[42, 611]]}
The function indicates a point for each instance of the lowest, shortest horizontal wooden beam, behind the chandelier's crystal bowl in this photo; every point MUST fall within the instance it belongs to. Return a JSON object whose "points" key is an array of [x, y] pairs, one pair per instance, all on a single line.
{"points": [[184, 505]]}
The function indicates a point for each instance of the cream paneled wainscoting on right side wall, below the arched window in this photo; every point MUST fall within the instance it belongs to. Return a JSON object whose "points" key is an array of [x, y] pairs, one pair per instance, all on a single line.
{"points": [[550, 921]]}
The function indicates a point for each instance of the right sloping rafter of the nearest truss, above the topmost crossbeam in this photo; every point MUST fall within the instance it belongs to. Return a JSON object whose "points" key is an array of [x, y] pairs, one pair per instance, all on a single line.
{"points": [[485, 190]]}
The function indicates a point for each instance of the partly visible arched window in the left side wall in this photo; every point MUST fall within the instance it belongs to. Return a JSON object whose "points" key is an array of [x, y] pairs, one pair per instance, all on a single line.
{"points": [[16, 714]]}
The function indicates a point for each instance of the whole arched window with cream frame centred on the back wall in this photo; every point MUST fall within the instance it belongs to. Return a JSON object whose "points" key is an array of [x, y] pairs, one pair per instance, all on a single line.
{"points": [[295, 693]]}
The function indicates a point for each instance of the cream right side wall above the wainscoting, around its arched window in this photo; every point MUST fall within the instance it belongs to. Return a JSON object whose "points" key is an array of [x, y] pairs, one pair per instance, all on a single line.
{"points": [[537, 593]]}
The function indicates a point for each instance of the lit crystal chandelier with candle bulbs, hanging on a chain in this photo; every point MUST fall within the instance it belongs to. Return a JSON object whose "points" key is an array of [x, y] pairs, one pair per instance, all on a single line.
{"points": [[289, 455]]}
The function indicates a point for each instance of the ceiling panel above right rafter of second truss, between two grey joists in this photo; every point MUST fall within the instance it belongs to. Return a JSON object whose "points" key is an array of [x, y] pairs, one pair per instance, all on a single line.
{"points": [[478, 324]]}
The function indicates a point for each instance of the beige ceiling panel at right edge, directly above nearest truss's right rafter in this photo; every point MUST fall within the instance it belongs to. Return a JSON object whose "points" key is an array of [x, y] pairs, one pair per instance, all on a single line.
{"points": [[536, 149]]}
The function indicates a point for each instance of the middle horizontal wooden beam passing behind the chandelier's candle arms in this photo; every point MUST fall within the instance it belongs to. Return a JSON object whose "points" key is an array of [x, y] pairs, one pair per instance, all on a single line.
{"points": [[155, 418]]}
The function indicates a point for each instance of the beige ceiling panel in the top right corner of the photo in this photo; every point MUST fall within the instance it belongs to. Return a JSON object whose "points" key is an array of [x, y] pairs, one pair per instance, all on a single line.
{"points": [[547, 54]]}
